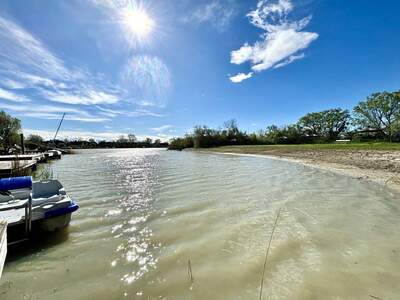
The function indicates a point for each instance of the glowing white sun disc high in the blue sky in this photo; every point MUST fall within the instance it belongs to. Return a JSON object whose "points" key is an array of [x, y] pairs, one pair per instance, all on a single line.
{"points": [[138, 22]]}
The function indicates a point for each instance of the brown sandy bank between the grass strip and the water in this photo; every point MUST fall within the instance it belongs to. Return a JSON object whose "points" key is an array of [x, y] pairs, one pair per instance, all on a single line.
{"points": [[380, 166]]}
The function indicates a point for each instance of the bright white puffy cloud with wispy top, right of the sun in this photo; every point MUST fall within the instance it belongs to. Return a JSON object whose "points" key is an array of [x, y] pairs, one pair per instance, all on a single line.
{"points": [[281, 42]]}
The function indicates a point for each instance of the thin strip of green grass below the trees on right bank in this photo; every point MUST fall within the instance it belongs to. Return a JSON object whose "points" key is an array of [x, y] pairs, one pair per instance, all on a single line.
{"points": [[264, 149]]}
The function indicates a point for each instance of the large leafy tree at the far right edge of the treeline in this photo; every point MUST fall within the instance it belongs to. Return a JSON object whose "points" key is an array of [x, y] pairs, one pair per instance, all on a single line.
{"points": [[380, 111]]}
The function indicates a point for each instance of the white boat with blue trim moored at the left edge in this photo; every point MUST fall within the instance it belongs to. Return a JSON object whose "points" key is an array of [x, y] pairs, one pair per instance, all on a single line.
{"points": [[45, 204]]}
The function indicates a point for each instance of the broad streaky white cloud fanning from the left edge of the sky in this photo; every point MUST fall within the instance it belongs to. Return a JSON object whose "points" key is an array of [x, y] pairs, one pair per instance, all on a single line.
{"points": [[25, 62]]}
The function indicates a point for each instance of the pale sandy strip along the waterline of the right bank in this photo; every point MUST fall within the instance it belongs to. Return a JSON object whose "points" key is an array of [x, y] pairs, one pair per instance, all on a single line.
{"points": [[381, 177]]}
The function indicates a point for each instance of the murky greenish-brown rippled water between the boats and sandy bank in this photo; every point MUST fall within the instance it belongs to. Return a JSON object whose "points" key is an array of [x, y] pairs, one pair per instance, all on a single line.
{"points": [[146, 213]]}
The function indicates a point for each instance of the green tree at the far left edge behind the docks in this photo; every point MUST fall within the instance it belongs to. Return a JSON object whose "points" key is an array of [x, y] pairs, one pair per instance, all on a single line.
{"points": [[9, 130]]}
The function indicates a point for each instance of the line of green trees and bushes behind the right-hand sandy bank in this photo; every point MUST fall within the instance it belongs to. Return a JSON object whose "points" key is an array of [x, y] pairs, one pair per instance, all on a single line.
{"points": [[375, 119]]}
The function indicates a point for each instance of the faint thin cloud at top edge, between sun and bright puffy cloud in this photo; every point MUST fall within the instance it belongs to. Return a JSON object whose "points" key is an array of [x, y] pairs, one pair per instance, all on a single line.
{"points": [[218, 13]]}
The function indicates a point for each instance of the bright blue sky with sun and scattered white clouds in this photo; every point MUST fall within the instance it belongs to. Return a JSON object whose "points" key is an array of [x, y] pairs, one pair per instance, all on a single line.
{"points": [[157, 68]]}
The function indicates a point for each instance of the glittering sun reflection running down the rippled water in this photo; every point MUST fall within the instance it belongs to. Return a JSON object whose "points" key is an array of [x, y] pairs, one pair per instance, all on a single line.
{"points": [[136, 177]]}
